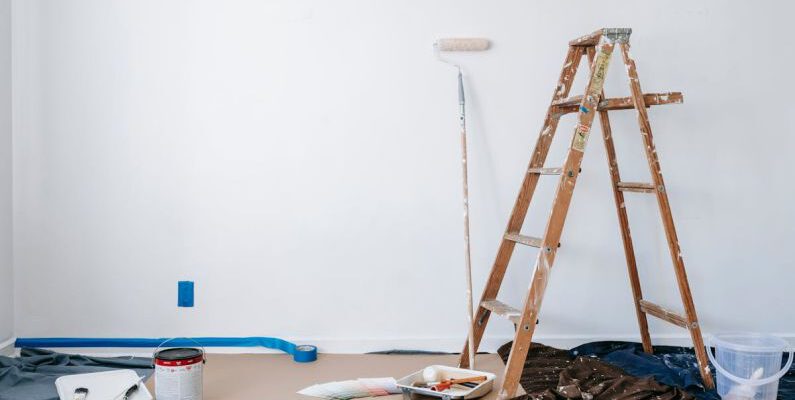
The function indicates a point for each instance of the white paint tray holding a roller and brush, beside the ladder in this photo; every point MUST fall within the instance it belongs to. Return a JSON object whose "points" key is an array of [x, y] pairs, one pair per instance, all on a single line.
{"points": [[455, 392]]}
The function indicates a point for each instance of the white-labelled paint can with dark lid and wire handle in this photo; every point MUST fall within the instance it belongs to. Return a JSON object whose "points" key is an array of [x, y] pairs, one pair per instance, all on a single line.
{"points": [[178, 373]]}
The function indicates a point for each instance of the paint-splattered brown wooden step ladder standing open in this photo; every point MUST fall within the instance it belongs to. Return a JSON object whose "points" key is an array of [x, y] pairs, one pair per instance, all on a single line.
{"points": [[598, 46]]}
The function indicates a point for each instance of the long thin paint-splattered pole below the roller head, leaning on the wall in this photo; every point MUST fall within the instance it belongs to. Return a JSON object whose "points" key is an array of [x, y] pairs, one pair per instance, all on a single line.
{"points": [[467, 254]]}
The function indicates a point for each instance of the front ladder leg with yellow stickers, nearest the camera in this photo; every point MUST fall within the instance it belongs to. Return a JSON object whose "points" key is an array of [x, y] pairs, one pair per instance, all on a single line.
{"points": [[554, 228]]}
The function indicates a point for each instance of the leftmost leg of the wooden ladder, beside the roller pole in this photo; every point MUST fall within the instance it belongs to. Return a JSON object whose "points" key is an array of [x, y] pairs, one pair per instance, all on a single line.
{"points": [[522, 203]]}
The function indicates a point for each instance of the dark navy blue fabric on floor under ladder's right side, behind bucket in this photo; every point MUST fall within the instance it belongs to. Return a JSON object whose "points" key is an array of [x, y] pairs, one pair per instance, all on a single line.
{"points": [[671, 365]]}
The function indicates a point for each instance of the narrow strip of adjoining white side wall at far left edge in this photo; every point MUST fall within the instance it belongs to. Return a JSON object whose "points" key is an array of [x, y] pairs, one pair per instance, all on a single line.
{"points": [[6, 266]]}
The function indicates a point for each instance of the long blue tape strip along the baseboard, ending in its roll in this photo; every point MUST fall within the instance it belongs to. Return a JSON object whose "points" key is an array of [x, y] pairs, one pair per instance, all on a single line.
{"points": [[300, 353]]}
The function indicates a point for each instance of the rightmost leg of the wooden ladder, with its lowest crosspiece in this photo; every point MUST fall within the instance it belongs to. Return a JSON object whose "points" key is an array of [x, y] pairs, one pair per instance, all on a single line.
{"points": [[690, 321]]}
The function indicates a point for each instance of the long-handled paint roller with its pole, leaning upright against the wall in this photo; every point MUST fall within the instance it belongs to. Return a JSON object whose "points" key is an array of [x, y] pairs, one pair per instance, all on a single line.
{"points": [[460, 45]]}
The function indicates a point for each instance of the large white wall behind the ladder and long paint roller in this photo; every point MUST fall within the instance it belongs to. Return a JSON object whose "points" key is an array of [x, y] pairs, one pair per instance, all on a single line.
{"points": [[300, 161]]}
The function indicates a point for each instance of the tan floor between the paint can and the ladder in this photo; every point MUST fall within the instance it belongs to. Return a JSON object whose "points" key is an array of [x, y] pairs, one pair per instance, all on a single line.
{"points": [[276, 376]]}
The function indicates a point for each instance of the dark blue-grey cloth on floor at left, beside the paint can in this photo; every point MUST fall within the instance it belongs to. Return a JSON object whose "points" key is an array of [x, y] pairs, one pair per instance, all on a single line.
{"points": [[32, 375]]}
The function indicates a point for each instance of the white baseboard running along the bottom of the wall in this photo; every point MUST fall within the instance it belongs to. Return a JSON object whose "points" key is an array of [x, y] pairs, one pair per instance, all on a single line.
{"points": [[443, 344]]}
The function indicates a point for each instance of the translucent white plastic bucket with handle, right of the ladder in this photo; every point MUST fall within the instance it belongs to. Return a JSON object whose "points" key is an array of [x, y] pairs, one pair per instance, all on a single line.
{"points": [[748, 365]]}
